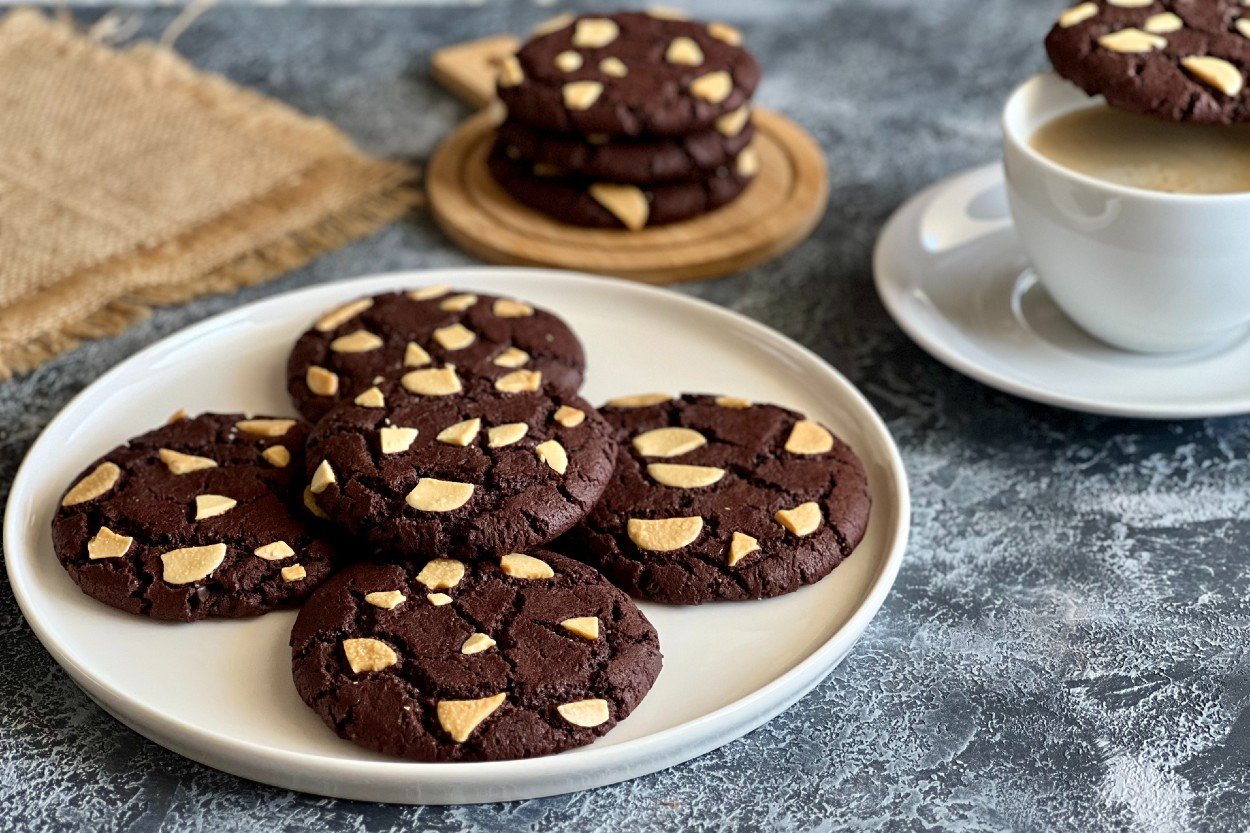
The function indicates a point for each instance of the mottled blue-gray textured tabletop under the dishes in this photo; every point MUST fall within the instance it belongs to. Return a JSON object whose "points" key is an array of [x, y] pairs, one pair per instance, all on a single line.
{"points": [[1066, 646]]}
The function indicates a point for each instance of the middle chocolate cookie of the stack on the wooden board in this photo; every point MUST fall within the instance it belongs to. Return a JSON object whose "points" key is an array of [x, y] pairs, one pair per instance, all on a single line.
{"points": [[641, 162]]}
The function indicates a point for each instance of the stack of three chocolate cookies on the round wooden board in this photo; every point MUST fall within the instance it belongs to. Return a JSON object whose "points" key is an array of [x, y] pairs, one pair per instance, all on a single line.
{"points": [[627, 121]]}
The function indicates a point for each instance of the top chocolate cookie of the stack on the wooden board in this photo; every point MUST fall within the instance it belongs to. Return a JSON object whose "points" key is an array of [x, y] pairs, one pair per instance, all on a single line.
{"points": [[629, 74]]}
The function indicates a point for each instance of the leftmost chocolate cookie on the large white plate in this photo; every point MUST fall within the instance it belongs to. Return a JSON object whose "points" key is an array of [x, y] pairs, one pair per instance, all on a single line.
{"points": [[201, 518]]}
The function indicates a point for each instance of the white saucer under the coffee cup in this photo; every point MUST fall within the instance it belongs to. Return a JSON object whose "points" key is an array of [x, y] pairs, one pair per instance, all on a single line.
{"points": [[952, 273]]}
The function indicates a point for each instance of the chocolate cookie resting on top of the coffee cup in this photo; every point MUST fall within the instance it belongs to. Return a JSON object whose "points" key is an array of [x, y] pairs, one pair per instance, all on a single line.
{"points": [[1181, 61]]}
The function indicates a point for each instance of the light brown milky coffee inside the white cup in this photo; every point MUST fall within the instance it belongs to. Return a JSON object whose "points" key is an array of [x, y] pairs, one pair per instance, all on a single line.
{"points": [[1141, 152]]}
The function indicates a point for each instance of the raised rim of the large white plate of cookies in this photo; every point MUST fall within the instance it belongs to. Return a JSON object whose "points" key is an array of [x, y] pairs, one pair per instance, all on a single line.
{"points": [[577, 770]]}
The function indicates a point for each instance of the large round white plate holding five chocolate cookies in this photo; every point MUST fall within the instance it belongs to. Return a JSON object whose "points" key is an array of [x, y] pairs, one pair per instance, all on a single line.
{"points": [[222, 692]]}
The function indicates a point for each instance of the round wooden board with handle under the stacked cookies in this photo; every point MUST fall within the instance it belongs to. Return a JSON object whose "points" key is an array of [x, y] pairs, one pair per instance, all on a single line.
{"points": [[776, 212]]}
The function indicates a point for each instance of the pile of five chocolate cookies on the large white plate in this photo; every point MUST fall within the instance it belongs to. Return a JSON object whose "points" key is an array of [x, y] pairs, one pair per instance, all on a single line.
{"points": [[463, 531]]}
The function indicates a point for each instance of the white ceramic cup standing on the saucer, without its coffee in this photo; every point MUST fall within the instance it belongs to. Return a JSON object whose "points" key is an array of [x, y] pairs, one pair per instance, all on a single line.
{"points": [[1144, 271]]}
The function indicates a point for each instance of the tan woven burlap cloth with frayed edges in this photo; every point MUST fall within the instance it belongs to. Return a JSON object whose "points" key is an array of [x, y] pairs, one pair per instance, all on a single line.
{"points": [[129, 179]]}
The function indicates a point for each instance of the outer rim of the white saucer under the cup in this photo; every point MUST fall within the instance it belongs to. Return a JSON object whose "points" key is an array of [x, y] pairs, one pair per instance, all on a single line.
{"points": [[924, 327]]}
